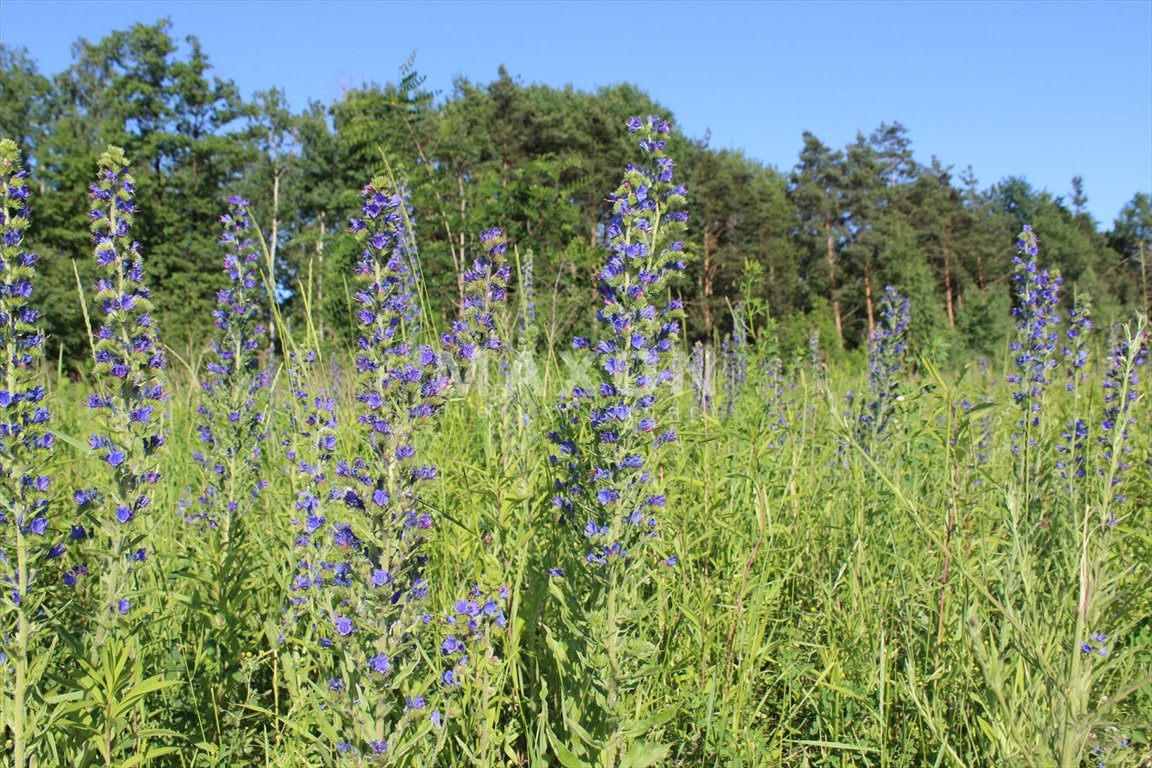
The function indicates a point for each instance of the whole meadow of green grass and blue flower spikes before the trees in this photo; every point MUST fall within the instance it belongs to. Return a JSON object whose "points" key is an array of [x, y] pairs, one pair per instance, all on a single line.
{"points": [[453, 546]]}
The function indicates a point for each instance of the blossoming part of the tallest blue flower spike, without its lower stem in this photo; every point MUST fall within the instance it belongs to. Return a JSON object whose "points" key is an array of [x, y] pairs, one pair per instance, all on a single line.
{"points": [[633, 359]]}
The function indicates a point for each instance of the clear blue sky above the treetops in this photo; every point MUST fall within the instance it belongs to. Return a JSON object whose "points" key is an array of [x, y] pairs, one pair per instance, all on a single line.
{"points": [[1043, 90]]}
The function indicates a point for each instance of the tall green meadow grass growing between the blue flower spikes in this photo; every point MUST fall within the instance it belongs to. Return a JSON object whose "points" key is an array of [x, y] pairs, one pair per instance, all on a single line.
{"points": [[831, 597]]}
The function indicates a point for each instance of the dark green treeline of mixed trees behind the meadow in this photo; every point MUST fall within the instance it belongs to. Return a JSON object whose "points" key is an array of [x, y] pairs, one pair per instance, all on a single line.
{"points": [[810, 249]]}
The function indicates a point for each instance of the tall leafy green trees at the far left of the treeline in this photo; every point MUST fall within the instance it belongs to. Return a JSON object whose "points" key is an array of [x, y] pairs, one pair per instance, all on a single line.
{"points": [[137, 89]]}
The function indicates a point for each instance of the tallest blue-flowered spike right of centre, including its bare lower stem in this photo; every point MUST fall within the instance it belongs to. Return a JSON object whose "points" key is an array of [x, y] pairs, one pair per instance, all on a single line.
{"points": [[608, 472]]}
